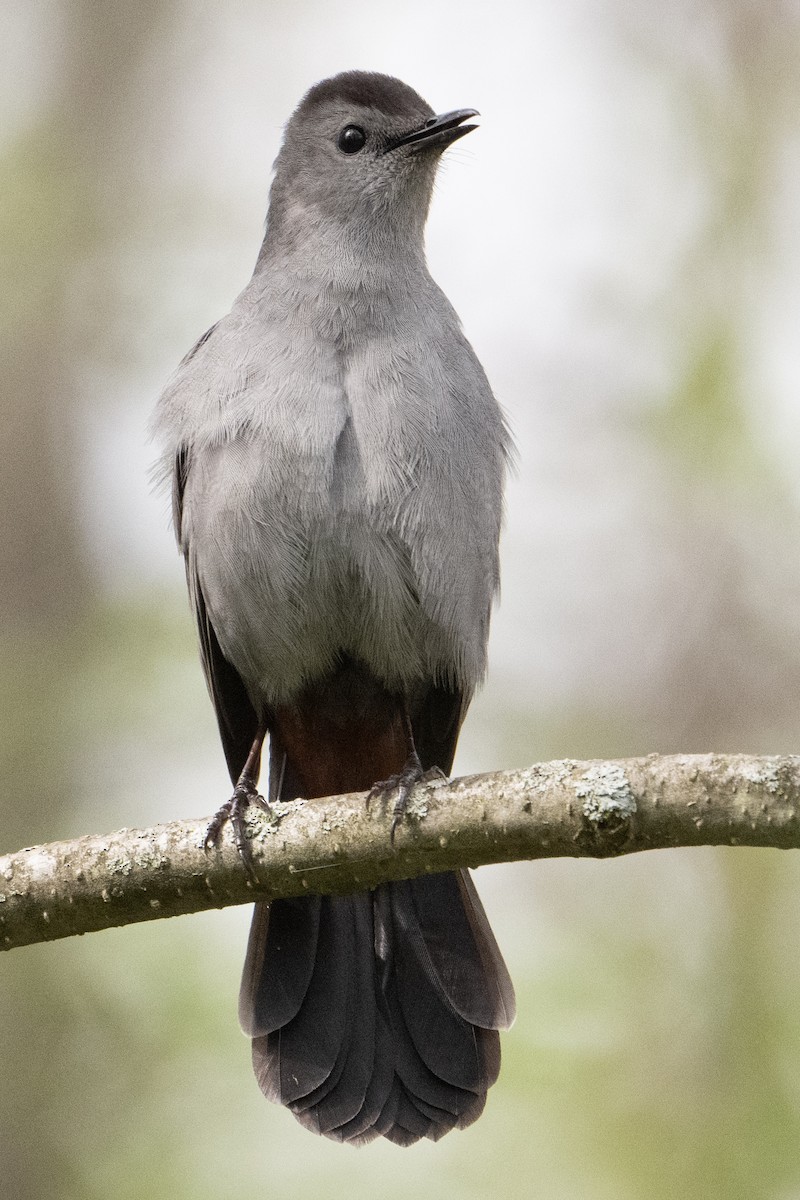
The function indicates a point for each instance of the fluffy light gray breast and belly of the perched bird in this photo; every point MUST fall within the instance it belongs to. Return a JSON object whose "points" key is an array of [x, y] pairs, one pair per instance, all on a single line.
{"points": [[346, 501]]}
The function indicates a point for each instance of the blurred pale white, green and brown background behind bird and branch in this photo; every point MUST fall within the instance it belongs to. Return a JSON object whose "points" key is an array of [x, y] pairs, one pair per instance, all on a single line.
{"points": [[622, 241]]}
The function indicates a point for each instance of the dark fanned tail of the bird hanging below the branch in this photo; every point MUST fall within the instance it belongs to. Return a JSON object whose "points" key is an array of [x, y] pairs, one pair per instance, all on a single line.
{"points": [[377, 1015]]}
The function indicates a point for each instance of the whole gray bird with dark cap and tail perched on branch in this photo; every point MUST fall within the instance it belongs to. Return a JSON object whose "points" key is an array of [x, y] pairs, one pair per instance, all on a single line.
{"points": [[338, 464]]}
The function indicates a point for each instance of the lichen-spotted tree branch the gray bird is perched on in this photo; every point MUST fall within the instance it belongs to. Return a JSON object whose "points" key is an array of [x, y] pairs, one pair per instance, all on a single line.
{"points": [[335, 845]]}
